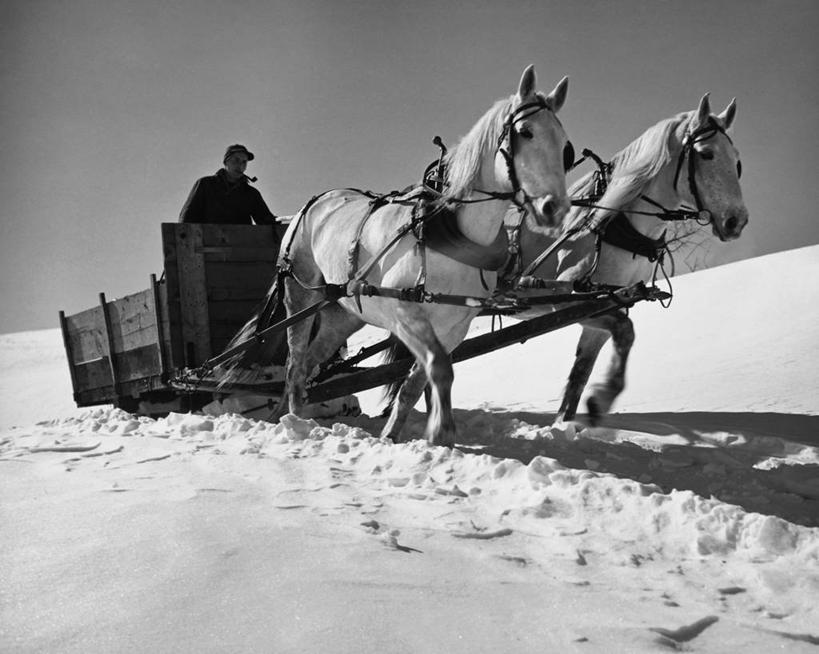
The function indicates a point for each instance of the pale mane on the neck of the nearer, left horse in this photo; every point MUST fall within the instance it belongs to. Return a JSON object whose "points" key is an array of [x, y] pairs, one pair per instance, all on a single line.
{"points": [[463, 162]]}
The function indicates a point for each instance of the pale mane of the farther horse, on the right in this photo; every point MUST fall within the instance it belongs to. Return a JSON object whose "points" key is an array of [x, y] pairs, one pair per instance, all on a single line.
{"points": [[634, 166]]}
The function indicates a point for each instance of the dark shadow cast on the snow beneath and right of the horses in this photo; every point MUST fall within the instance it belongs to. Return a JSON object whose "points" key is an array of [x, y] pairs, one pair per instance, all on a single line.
{"points": [[730, 456]]}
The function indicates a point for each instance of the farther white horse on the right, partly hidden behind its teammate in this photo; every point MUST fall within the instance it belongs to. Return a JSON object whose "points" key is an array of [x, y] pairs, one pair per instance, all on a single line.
{"points": [[685, 161]]}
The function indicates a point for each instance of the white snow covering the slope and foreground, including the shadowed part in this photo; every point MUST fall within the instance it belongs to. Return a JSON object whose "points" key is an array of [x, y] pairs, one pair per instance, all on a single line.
{"points": [[689, 519]]}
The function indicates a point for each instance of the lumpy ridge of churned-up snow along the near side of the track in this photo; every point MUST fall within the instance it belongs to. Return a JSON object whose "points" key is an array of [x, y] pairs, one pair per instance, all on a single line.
{"points": [[678, 524]]}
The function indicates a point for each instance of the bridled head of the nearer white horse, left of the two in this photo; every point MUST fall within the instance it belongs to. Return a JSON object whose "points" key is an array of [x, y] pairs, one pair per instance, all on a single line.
{"points": [[533, 153]]}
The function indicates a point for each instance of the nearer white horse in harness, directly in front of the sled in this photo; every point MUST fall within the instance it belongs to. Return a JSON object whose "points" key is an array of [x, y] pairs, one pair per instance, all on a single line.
{"points": [[513, 154]]}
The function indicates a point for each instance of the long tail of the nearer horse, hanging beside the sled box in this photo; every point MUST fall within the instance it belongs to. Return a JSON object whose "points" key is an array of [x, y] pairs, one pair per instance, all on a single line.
{"points": [[247, 365]]}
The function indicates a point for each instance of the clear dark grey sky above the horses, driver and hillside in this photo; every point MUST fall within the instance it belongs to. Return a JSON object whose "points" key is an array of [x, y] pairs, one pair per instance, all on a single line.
{"points": [[111, 110]]}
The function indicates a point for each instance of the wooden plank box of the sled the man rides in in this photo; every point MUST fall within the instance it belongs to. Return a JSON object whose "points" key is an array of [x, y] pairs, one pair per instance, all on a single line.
{"points": [[215, 275]]}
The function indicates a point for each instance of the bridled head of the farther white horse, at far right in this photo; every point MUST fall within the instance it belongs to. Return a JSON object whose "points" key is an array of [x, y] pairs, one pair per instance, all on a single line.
{"points": [[713, 170]]}
